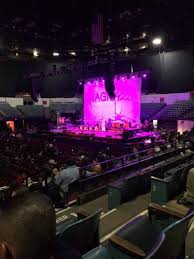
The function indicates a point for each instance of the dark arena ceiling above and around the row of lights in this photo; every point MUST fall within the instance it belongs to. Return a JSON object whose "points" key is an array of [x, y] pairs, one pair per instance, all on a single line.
{"points": [[65, 27]]}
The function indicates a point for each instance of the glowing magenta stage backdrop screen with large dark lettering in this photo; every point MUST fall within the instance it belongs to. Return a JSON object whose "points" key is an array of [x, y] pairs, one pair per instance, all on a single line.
{"points": [[126, 106]]}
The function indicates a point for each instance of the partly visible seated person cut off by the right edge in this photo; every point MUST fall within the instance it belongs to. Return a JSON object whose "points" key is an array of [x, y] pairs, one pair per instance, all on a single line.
{"points": [[189, 194]]}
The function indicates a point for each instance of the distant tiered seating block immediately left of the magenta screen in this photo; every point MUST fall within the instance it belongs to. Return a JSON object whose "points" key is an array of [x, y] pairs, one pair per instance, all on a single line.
{"points": [[65, 107]]}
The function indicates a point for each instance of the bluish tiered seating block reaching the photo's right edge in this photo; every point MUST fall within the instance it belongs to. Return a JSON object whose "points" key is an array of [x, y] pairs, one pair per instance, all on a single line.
{"points": [[175, 111]]}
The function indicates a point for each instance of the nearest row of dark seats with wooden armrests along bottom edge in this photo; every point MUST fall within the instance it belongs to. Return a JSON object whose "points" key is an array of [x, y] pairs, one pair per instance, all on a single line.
{"points": [[160, 234]]}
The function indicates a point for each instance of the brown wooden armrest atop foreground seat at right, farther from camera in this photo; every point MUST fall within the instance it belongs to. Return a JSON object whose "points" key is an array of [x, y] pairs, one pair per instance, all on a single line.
{"points": [[163, 210]]}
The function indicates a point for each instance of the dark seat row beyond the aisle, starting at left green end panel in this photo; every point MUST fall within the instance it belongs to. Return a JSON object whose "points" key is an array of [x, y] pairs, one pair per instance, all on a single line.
{"points": [[139, 182]]}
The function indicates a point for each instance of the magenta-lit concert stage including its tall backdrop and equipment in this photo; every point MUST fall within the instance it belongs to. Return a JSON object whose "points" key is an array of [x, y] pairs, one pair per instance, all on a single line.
{"points": [[115, 117]]}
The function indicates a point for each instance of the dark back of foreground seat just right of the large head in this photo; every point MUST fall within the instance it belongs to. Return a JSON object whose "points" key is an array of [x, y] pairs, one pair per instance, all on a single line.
{"points": [[82, 235]]}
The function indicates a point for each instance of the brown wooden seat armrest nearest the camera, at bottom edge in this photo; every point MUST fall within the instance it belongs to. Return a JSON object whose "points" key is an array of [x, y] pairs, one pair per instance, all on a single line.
{"points": [[127, 246]]}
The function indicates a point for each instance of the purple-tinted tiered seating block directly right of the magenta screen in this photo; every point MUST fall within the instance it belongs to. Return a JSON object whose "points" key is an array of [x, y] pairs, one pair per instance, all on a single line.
{"points": [[148, 110]]}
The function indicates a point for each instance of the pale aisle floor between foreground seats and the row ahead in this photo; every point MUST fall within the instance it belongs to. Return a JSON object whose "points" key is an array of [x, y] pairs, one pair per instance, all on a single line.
{"points": [[110, 220]]}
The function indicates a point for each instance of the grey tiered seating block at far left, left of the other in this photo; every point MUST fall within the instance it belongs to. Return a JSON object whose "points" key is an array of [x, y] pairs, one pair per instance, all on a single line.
{"points": [[32, 111]]}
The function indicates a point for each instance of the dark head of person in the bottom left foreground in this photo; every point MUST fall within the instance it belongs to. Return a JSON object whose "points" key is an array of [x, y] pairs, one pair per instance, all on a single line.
{"points": [[28, 227]]}
